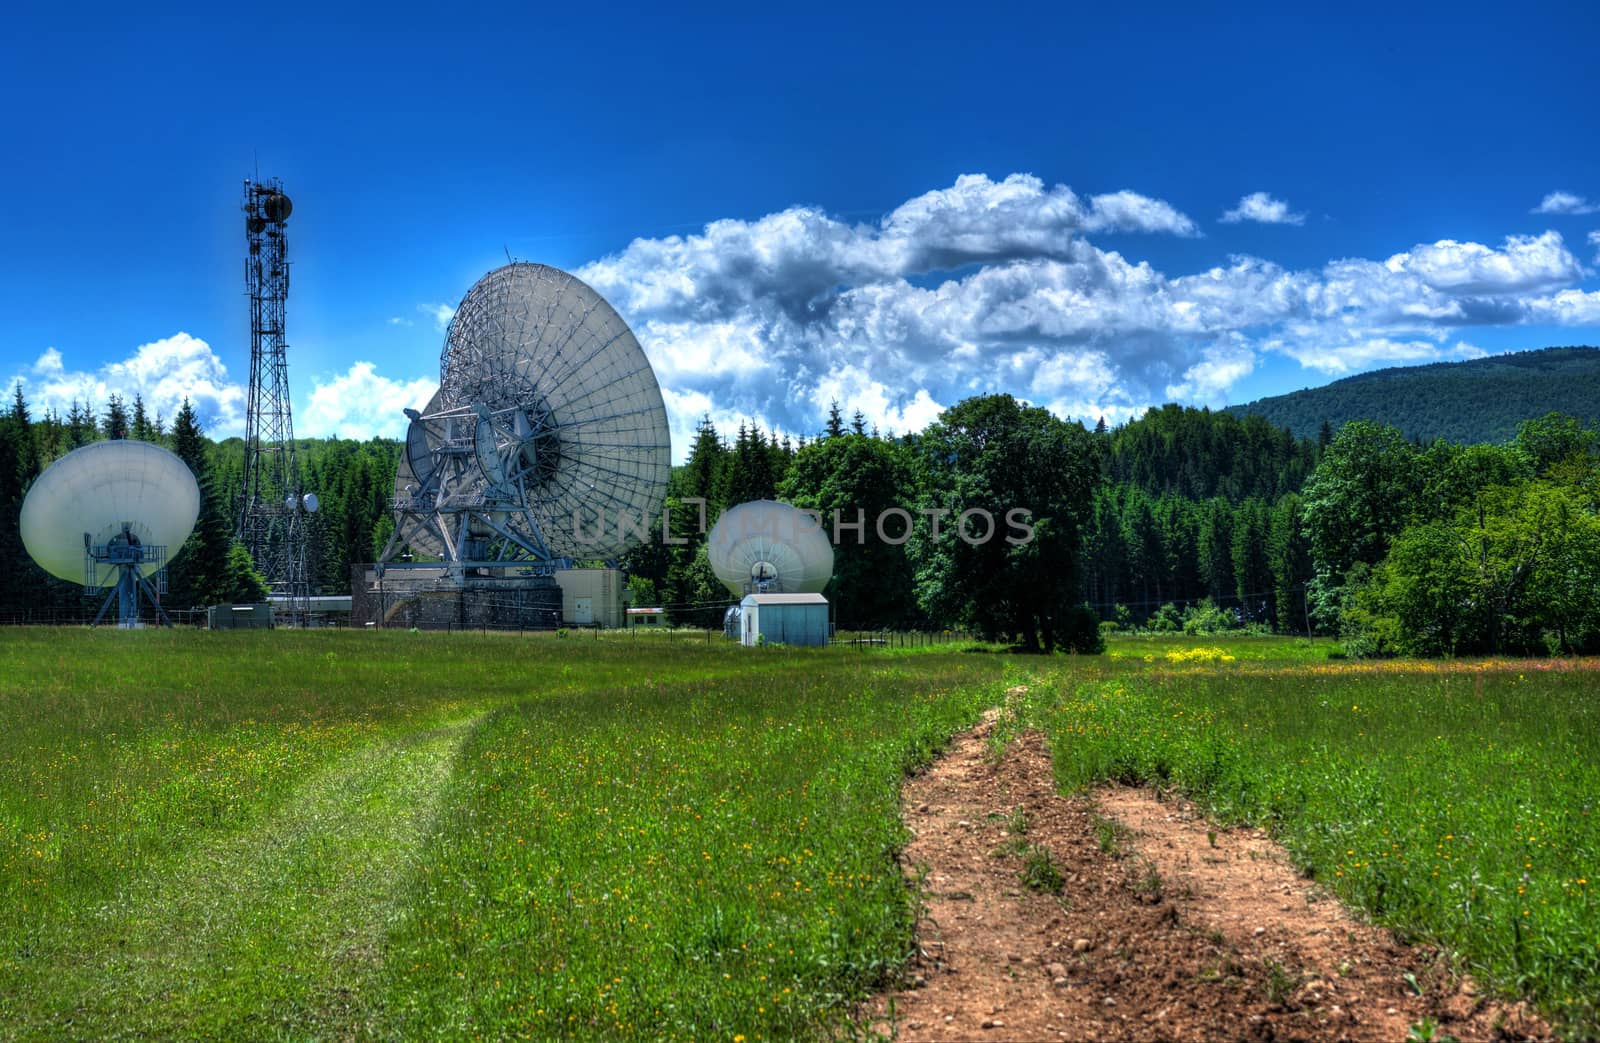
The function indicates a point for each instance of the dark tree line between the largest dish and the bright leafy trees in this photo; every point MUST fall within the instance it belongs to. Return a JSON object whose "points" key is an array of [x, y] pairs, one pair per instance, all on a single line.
{"points": [[1130, 525]]}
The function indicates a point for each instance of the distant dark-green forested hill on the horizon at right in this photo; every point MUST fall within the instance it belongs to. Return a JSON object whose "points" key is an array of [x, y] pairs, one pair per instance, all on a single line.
{"points": [[1463, 402]]}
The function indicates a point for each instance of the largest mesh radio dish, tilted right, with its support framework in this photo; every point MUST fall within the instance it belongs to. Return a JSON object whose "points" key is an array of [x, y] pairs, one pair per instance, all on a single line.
{"points": [[546, 431]]}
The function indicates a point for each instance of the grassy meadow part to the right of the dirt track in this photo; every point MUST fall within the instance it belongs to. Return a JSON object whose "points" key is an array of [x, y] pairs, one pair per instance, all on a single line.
{"points": [[1452, 801]]}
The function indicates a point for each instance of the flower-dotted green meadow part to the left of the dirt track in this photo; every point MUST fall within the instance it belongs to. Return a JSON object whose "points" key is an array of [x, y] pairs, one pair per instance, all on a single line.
{"points": [[406, 836]]}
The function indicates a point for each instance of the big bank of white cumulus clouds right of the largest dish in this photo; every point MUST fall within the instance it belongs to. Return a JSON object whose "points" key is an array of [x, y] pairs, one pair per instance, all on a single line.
{"points": [[1004, 286]]}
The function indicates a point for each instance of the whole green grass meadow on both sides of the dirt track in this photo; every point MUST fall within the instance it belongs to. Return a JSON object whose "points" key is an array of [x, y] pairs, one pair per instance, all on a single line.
{"points": [[398, 836]]}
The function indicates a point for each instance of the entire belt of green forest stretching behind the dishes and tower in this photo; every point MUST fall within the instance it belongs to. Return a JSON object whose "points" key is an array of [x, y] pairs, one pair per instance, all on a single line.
{"points": [[1182, 521]]}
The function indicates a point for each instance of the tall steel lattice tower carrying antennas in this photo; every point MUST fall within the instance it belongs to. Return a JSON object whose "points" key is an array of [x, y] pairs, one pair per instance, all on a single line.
{"points": [[274, 513]]}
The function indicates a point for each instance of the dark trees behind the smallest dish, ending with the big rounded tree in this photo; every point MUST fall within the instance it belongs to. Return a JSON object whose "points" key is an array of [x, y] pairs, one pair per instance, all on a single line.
{"points": [[906, 516]]}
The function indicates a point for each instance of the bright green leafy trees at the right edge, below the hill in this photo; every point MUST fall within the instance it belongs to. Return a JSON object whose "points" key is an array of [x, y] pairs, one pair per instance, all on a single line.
{"points": [[1452, 549]]}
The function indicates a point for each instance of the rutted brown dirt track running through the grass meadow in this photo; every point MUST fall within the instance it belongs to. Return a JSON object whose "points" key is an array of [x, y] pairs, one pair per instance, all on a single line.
{"points": [[1164, 930]]}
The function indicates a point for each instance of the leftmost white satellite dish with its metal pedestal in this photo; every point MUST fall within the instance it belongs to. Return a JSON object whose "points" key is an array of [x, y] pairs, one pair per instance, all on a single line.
{"points": [[111, 510]]}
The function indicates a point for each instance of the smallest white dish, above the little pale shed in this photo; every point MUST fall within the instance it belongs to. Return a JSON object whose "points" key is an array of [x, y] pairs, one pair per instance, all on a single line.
{"points": [[770, 548]]}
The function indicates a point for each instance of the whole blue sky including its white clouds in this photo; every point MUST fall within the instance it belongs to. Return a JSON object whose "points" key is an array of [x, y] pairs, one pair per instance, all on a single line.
{"points": [[890, 207]]}
